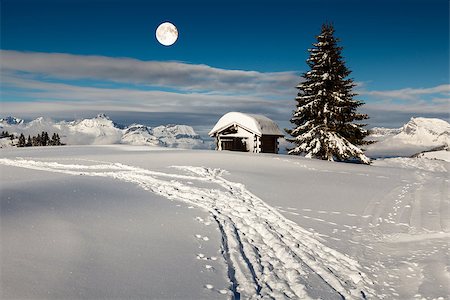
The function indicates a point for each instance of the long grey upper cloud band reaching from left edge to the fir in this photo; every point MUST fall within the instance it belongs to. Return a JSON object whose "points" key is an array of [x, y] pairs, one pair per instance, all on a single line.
{"points": [[177, 75]]}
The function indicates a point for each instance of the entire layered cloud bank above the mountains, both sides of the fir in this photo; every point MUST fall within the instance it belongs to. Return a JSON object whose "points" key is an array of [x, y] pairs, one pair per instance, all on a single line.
{"points": [[54, 84]]}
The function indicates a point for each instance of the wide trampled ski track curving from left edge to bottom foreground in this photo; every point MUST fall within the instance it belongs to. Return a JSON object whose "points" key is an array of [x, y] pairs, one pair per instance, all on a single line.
{"points": [[267, 255]]}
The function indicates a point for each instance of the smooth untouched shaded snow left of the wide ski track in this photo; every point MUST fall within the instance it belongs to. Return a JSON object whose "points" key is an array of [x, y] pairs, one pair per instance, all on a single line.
{"points": [[79, 237]]}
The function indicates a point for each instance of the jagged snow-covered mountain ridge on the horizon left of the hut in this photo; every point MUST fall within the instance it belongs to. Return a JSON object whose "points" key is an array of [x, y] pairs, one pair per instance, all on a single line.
{"points": [[101, 130]]}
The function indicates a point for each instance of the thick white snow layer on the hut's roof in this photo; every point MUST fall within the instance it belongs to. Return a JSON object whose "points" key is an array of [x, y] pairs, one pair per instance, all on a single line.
{"points": [[257, 124]]}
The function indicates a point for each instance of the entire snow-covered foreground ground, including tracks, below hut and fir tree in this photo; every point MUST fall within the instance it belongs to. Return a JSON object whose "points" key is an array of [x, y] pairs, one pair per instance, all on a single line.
{"points": [[122, 222]]}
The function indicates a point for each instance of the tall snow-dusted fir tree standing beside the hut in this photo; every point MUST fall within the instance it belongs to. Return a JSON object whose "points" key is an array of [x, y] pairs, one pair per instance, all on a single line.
{"points": [[326, 110]]}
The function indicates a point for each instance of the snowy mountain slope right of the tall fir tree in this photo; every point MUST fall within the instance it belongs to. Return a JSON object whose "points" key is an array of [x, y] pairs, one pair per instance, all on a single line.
{"points": [[419, 134]]}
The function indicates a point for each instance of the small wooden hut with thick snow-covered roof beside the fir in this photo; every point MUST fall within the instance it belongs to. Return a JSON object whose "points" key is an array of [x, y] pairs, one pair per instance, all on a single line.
{"points": [[237, 131]]}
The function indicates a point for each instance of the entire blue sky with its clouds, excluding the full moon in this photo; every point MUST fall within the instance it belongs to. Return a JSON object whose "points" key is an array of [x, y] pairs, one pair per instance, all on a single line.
{"points": [[78, 57]]}
